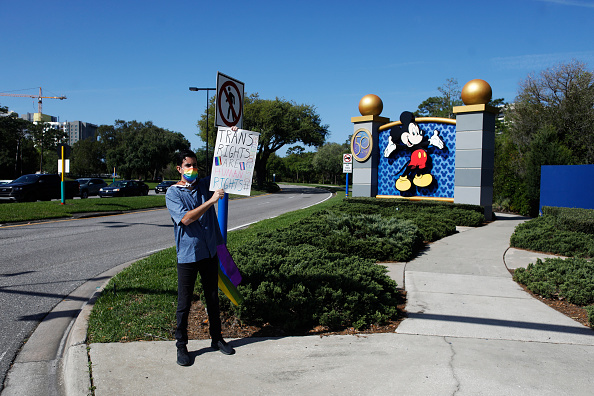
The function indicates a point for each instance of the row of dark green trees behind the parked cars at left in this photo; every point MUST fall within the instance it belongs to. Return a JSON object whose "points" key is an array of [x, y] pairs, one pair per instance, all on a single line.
{"points": [[133, 149]]}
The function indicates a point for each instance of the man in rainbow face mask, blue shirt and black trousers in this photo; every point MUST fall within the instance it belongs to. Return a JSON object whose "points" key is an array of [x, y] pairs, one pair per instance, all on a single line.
{"points": [[197, 235]]}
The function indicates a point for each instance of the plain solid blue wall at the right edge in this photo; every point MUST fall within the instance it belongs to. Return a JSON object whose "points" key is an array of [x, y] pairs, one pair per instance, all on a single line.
{"points": [[567, 186]]}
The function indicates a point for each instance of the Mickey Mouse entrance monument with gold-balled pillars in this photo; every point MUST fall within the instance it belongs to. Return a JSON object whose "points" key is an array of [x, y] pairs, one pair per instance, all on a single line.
{"points": [[420, 158]]}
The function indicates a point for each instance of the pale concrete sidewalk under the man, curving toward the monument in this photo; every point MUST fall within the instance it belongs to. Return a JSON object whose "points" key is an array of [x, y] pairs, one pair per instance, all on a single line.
{"points": [[471, 330]]}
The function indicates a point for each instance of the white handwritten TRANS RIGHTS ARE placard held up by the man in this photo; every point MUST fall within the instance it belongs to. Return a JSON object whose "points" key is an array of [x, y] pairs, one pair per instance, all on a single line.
{"points": [[233, 162]]}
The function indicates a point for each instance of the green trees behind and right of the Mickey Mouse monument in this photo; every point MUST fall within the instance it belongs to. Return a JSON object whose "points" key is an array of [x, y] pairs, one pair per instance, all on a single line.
{"points": [[550, 122]]}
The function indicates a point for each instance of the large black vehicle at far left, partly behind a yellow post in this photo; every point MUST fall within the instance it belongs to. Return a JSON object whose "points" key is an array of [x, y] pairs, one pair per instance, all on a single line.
{"points": [[34, 187]]}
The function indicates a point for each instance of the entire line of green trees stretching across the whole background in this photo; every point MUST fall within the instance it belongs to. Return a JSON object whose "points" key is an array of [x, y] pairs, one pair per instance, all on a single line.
{"points": [[549, 123]]}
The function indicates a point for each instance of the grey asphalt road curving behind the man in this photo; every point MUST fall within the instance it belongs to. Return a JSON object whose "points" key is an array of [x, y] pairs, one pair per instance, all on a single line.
{"points": [[42, 263]]}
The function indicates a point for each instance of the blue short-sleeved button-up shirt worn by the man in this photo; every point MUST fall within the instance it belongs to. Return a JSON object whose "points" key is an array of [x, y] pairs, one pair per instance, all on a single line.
{"points": [[198, 240]]}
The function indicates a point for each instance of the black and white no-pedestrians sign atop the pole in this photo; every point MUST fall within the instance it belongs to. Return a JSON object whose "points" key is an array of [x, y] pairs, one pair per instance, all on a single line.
{"points": [[229, 103]]}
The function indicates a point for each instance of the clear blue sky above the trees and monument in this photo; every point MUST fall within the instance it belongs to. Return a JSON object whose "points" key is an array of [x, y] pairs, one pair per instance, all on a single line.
{"points": [[134, 60]]}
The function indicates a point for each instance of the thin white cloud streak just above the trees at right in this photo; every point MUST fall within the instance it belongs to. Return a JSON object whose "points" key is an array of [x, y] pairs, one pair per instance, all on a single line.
{"points": [[540, 61]]}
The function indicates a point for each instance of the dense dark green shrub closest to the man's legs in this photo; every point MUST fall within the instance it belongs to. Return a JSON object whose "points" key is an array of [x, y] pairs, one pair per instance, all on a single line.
{"points": [[298, 287]]}
